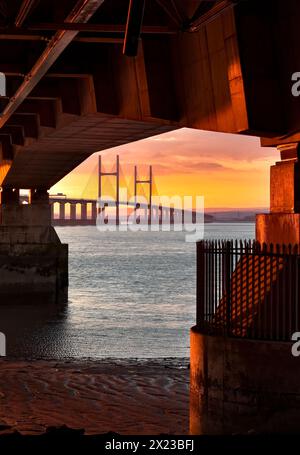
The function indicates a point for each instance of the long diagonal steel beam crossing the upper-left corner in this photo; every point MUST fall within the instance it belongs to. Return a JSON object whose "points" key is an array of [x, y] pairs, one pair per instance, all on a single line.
{"points": [[82, 12]]}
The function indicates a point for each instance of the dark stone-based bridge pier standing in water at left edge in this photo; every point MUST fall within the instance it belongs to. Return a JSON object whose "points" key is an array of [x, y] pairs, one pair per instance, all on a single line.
{"points": [[33, 262]]}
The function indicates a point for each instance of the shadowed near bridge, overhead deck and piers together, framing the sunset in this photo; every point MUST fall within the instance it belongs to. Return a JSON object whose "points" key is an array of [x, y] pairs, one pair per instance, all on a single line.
{"points": [[217, 65]]}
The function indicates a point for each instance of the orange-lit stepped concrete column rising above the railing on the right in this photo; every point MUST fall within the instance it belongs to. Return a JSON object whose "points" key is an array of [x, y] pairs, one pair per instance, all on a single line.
{"points": [[282, 224]]}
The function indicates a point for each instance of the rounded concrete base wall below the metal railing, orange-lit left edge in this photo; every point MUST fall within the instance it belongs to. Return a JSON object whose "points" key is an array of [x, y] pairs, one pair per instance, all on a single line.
{"points": [[241, 386]]}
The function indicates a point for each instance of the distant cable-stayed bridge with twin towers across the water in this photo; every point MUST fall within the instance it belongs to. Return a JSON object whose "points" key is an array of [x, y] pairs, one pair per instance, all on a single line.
{"points": [[141, 207]]}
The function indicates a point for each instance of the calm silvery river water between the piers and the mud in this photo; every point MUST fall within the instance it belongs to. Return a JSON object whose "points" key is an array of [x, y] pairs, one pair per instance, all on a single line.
{"points": [[131, 295]]}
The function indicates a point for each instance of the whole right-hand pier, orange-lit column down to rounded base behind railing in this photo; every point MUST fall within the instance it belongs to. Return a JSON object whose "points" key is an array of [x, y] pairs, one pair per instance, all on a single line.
{"points": [[239, 385]]}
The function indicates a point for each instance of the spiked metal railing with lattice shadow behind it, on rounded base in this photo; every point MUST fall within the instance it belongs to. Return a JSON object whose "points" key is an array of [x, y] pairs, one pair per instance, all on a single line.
{"points": [[248, 290]]}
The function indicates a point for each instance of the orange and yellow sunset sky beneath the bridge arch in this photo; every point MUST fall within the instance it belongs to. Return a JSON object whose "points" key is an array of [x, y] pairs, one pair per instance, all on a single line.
{"points": [[228, 170]]}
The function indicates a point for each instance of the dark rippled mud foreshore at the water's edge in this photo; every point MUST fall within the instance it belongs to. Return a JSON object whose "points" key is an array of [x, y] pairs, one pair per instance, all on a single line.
{"points": [[123, 396]]}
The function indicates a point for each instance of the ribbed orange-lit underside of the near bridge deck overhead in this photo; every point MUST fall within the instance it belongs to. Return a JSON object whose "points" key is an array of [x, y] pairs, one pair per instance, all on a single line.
{"points": [[71, 91]]}
